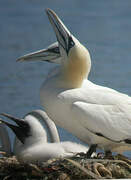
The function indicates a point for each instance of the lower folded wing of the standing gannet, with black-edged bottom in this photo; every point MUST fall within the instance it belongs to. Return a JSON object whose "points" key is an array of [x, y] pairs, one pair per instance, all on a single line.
{"points": [[110, 121]]}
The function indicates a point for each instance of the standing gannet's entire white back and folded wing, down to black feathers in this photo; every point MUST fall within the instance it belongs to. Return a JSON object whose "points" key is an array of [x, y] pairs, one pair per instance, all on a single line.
{"points": [[101, 110]]}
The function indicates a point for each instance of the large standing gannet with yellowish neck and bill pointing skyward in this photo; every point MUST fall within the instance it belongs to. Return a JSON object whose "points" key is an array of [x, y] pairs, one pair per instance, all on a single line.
{"points": [[97, 115]]}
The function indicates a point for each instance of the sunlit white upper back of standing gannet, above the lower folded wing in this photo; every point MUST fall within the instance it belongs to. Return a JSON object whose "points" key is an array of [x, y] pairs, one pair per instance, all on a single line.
{"points": [[94, 95]]}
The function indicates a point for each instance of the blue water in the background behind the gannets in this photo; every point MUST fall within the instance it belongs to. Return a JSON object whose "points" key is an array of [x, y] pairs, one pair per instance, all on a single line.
{"points": [[104, 27]]}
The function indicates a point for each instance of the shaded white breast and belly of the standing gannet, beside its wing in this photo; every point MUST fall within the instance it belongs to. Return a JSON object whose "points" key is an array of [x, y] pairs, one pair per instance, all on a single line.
{"points": [[61, 112]]}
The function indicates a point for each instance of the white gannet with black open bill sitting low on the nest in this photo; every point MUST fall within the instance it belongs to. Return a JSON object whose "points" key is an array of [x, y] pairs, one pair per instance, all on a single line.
{"points": [[32, 145]]}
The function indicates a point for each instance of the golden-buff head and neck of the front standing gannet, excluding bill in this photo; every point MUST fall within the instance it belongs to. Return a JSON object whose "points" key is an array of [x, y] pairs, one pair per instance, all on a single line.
{"points": [[77, 64]]}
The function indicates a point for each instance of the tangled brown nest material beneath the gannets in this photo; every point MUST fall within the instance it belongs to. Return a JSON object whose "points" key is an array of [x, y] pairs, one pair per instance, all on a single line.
{"points": [[74, 168]]}
